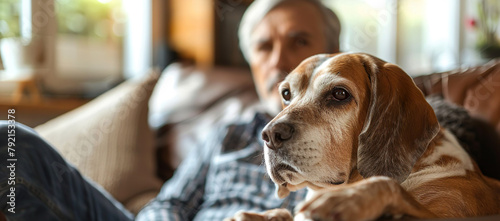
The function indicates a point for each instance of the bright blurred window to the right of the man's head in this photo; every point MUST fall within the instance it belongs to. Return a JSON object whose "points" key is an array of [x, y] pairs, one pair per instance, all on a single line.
{"points": [[421, 36]]}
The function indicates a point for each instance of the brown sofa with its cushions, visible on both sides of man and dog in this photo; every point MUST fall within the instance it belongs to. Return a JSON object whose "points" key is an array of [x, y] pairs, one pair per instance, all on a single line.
{"points": [[130, 139]]}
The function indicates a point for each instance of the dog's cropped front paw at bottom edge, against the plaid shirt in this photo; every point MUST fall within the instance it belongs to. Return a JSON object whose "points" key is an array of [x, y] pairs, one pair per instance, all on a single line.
{"points": [[270, 215]]}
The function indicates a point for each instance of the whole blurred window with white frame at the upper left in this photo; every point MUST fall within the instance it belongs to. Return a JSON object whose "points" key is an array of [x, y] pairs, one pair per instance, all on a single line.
{"points": [[82, 47]]}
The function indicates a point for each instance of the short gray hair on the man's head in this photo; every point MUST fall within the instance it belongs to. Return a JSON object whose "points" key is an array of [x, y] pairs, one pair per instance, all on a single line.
{"points": [[259, 9]]}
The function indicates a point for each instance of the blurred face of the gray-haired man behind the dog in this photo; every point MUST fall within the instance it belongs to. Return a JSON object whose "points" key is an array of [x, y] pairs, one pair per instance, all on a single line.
{"points": [[287, 35]]}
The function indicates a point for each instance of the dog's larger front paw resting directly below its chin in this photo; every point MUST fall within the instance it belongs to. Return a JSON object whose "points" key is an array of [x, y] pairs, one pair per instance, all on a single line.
{"points": [[344, 204]]}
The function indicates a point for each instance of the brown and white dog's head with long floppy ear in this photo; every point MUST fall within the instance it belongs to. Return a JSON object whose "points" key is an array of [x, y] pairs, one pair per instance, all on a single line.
{"points": [[346, 112]]}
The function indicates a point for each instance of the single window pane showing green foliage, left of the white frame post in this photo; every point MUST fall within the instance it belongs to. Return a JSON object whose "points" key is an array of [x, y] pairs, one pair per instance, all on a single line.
{"points": [[89, 38]]}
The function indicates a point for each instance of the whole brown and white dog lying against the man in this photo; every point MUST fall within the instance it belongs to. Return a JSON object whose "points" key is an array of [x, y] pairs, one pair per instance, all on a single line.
{"points": [[358, 133]]}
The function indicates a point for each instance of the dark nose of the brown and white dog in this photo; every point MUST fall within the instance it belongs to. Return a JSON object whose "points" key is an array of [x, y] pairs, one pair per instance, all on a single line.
{"points": [[276, 134]]}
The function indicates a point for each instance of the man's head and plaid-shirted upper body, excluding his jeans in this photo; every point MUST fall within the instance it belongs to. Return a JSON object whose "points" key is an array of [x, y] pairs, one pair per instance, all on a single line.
{"points": [[227, 175]]}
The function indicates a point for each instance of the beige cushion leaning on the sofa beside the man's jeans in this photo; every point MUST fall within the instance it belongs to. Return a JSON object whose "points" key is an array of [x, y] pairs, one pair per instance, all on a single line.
{"points": [[109, 141]]}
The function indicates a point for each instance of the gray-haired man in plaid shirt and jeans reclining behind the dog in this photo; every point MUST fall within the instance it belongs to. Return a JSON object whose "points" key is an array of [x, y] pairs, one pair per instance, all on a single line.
{"points": [[224, 176]]}
